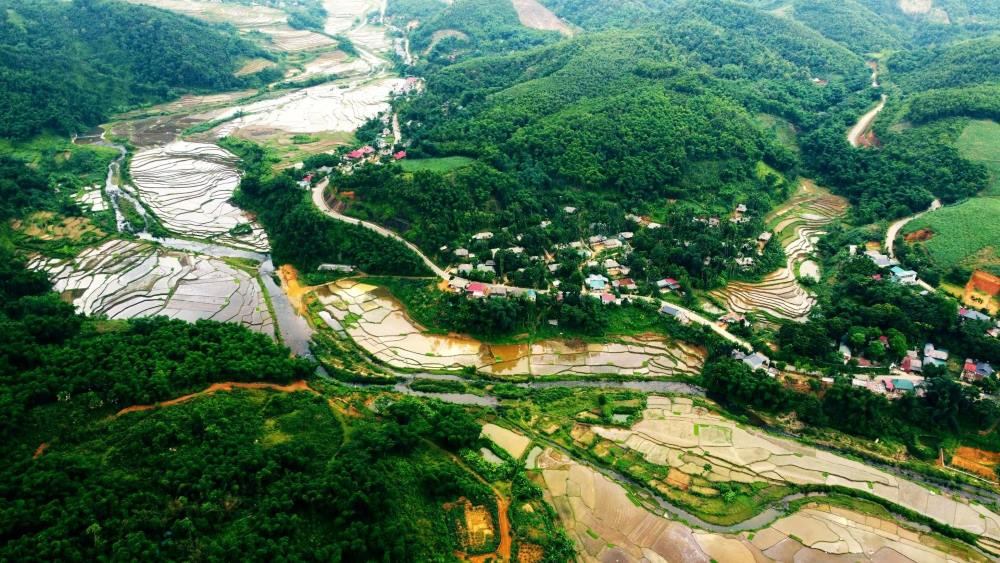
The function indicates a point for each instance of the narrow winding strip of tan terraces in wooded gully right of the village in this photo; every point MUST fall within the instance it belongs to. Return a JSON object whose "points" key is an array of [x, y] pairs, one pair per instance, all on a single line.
{"points": [[797, 225]]}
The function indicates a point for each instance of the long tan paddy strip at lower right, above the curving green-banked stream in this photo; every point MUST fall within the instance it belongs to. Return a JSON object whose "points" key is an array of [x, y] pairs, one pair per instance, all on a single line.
{"points": [[698, 443]]}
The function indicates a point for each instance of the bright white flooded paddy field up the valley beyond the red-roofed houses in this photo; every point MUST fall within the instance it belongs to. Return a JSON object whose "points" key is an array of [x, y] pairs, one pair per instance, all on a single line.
{"points": [[327, 107]]}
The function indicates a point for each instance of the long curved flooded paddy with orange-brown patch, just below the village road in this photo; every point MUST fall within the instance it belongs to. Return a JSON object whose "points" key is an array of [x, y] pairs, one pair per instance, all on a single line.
{"points": [[379, 325]]}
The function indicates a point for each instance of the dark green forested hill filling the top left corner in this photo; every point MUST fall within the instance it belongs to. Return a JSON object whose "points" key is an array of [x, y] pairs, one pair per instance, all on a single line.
{"points": [[65, 66]]}
